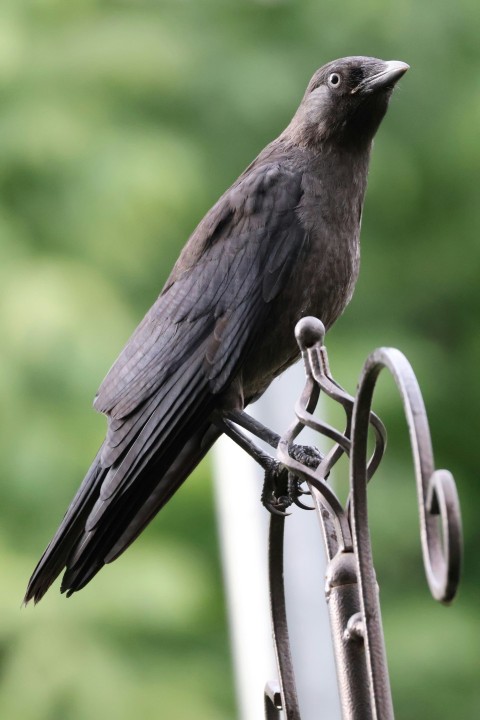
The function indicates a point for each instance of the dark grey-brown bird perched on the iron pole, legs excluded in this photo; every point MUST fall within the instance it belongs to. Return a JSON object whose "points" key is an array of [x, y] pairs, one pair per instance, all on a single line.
{"points": [[281, 243]]}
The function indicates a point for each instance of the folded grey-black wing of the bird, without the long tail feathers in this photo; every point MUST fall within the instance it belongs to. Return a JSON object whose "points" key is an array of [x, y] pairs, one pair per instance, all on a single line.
{"points": [[206, 318]]}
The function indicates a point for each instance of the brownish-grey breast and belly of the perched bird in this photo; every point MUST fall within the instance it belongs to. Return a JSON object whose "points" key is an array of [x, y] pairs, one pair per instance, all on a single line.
{"points": [[322, 279]]}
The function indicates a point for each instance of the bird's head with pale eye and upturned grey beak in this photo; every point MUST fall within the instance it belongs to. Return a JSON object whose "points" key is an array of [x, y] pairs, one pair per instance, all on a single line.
{"points": [[345, 101]]}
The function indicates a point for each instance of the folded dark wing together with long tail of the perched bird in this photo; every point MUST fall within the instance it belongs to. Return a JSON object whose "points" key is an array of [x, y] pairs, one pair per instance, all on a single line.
{"points": [[159, 394]]}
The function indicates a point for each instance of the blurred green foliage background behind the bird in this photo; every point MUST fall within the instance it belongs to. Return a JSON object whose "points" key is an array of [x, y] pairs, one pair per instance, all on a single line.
{"points": [[120, 124]]}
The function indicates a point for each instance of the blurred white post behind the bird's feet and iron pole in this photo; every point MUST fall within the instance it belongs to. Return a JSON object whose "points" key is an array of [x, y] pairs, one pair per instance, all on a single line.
{"points": [[243, 524]]}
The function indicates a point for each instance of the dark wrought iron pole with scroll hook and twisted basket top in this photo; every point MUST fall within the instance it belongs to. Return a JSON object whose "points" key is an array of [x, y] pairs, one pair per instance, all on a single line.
{"points": [[351, 587]]}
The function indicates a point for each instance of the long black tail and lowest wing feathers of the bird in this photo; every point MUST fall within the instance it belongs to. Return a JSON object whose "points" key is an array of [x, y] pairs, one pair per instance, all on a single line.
{"points": [[115, 502]]}
